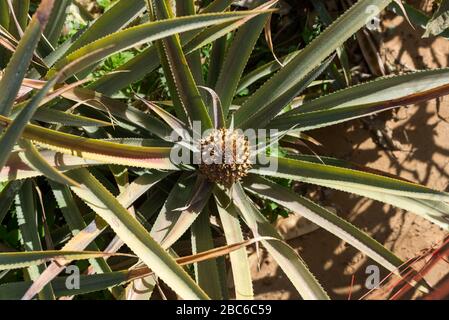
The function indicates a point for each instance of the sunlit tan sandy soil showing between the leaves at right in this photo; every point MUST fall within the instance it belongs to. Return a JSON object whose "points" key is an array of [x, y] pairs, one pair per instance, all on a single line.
{"points": [[422, 134]]}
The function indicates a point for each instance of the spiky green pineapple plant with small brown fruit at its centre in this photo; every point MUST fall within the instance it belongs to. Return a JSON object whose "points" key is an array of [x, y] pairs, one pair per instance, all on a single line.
{"points": [[122, 170]]}
